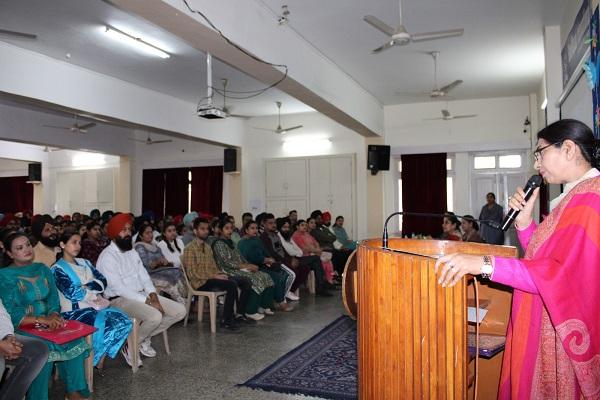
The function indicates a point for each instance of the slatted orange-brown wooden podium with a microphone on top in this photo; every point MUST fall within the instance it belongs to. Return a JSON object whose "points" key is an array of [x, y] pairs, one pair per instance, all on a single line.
{"points": [[412, 333]]}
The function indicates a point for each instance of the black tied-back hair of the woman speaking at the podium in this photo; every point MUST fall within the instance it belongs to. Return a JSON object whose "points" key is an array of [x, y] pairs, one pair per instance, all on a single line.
{"points": [[576, 131]]}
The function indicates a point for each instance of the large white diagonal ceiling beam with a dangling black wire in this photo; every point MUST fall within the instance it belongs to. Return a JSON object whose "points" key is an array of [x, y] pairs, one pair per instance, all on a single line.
{"points": [[312, 78]]}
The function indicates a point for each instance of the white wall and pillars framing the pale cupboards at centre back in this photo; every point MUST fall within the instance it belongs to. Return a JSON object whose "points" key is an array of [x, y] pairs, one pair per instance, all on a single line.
{"points": [[261, 145]]}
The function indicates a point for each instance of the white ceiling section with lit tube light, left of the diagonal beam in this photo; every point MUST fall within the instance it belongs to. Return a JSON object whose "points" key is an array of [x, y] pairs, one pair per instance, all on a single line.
{"points": [[76, 28]]}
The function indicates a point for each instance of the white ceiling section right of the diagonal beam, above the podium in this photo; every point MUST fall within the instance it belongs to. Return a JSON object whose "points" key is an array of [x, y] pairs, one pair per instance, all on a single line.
{"points": [[500, 54]]}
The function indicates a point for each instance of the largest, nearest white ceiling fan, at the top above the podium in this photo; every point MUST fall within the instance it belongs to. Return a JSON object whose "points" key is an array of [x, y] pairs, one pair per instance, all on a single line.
{"points": [[400, 36]]}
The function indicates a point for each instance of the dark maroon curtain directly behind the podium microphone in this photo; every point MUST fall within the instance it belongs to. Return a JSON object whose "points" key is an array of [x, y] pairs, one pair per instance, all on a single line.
{"points": [[423, 191]]}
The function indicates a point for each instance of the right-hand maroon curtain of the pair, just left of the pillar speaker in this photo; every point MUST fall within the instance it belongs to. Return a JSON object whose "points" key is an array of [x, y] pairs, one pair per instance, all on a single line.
{"points": [[207, 190]]}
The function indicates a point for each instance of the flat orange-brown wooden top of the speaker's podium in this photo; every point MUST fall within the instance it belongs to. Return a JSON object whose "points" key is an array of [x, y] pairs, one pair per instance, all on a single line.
{"points": [[436, 248]]}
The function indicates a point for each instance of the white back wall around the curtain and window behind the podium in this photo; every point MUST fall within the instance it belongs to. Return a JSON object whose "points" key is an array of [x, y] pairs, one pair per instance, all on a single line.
{"points": [[498, 126]]}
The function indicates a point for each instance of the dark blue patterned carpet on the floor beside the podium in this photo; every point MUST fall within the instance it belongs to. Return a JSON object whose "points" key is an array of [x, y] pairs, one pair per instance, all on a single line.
{"points": [[323, 366]]}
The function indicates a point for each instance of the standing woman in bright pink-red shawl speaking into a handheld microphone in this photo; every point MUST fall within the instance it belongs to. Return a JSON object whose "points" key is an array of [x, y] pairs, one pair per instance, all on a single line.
{"points": [[553, 339]]}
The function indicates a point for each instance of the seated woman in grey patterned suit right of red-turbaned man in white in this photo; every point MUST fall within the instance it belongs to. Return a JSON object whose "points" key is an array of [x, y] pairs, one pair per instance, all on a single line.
{"points": [[165, 276]]}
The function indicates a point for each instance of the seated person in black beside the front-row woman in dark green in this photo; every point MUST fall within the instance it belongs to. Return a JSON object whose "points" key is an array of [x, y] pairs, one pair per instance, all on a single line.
{"points": [[274, 246]]}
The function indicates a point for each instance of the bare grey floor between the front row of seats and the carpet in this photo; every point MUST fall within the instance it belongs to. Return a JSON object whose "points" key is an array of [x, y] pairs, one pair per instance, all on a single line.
{"points": [[205, 366]]}
